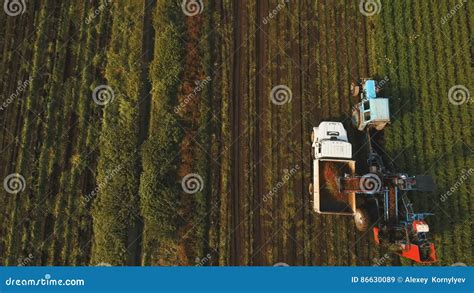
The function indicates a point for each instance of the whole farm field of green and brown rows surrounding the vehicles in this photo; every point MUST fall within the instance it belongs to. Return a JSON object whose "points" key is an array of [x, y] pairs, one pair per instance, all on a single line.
{"points": [[178, 132]]}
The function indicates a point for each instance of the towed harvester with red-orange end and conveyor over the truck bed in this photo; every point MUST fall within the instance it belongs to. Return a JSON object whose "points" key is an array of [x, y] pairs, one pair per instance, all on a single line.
{"points": [[384, 206]]}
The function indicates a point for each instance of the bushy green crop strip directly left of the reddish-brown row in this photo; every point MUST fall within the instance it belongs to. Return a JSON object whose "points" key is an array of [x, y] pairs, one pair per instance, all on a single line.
{"points": [[159, 185]]}
